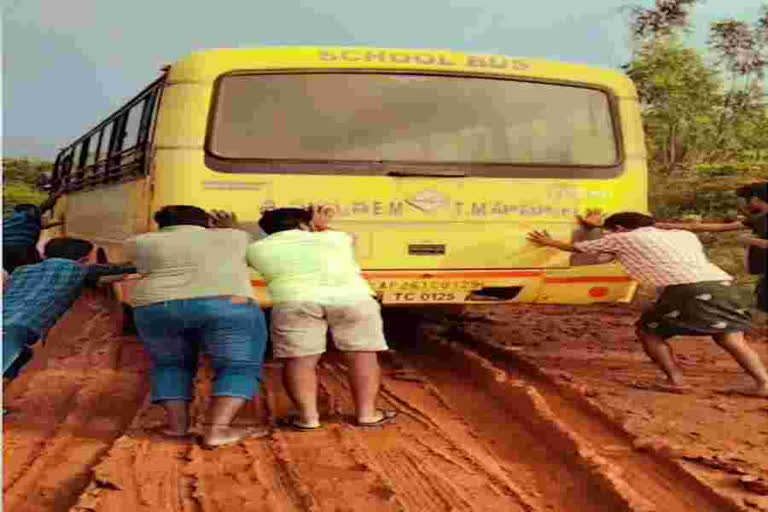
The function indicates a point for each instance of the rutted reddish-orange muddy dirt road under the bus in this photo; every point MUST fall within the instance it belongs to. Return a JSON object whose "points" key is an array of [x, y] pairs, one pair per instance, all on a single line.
{"points": [[490, 419]]}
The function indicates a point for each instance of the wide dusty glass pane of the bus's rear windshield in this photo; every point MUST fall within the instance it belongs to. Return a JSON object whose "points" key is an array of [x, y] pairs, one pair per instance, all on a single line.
{"points": [[420, 119]]}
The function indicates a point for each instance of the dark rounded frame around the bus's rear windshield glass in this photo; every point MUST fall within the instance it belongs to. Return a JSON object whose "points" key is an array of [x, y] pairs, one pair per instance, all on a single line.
{"points": [[359, 168]]}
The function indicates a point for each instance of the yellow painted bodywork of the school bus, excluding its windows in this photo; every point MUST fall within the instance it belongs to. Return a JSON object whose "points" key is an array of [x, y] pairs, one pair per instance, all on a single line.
{"points": [[419, 240]]}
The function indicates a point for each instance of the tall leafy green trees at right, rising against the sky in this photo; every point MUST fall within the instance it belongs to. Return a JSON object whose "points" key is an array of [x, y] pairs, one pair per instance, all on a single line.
{"points": [[695, 110]]}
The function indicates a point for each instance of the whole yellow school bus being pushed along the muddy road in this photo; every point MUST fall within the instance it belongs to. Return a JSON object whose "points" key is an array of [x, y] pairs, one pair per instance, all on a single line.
{"points": [[439, 162]]}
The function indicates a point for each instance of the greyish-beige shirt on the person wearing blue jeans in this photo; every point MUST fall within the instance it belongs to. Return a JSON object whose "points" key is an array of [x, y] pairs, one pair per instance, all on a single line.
{"points": [[189, 262]]}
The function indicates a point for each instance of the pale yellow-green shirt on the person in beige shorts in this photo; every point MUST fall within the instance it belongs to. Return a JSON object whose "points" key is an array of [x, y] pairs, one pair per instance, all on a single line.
{"points": [[308, 266]]}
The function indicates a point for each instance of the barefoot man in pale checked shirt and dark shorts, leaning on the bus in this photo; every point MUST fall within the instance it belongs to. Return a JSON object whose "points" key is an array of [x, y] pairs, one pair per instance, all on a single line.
{"points": [[697, 297]]}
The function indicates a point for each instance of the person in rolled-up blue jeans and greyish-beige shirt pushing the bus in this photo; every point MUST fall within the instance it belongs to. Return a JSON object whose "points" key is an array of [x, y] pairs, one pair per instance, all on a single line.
{"points": [[196, 289]]}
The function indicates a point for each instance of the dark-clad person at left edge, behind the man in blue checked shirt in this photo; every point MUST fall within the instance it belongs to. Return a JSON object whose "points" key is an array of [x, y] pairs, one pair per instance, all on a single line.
{"points": [[21, 232]]}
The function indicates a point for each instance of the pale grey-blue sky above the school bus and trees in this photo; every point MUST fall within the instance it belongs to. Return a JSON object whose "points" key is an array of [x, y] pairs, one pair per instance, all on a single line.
{"points": [[68, 64]]}
